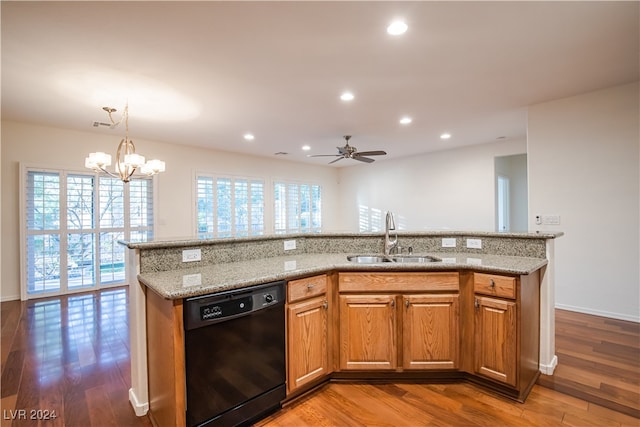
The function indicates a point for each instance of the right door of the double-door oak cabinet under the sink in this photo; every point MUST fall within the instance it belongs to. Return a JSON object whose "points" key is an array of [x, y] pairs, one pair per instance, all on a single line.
{"points": [[430, 332]]}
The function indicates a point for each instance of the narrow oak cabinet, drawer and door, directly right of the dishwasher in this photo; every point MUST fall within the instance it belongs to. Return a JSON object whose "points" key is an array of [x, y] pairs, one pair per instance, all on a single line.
{"points": [[307, 331]]}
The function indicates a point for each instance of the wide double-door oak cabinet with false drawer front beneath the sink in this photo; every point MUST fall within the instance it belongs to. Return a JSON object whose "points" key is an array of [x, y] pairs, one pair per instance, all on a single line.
{"points": [[387, 331]]}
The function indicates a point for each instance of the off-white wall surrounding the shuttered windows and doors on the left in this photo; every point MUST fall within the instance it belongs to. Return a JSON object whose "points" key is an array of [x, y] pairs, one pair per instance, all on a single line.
{"points": [[61, 148]]}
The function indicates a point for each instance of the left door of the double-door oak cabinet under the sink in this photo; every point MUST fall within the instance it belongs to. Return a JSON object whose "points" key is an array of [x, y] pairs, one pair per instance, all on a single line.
{"points": [[368, 332]]}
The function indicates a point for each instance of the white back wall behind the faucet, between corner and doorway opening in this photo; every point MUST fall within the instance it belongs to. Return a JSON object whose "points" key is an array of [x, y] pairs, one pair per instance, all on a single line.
{"points": [[452, 189]]}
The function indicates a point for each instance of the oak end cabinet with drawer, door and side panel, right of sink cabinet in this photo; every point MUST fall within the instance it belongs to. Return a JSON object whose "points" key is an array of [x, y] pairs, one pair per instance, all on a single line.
{"points": [[506, 329]]}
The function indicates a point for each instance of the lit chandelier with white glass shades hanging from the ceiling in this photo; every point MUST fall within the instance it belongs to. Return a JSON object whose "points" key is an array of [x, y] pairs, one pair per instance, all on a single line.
{"points": [[127, 161]]}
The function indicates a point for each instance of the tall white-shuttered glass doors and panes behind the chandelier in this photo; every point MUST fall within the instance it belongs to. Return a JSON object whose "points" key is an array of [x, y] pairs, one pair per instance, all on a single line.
{"points": [[73, 224]]}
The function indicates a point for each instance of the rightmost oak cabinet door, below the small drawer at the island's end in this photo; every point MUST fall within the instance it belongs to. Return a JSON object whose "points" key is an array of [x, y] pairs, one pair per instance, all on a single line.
{"points": [[496, 347]]}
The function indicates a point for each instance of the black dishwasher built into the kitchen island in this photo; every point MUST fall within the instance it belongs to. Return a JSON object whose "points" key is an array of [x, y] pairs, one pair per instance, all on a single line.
{"points": [[235, 355]]}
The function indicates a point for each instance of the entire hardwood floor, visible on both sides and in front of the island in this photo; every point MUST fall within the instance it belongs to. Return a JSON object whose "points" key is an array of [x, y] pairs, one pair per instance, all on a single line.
{"points": [[71, 355]]}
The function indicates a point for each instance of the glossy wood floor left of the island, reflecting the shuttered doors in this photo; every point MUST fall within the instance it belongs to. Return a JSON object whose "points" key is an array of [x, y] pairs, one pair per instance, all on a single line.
{"points": [[65, 361]]}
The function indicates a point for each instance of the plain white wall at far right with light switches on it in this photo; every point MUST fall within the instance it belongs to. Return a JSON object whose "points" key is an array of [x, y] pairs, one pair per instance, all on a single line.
{"points": [[583, 155]]}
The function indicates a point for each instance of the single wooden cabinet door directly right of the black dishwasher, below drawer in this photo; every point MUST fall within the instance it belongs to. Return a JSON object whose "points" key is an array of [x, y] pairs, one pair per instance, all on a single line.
{"points": [[307, 339]]}
